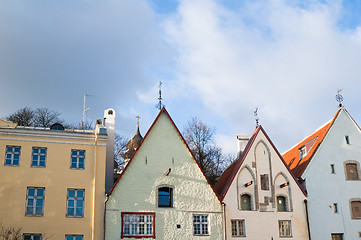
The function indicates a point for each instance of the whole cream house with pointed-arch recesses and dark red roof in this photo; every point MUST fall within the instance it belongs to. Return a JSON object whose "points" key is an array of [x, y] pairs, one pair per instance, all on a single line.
{"points": [[261, 199]]}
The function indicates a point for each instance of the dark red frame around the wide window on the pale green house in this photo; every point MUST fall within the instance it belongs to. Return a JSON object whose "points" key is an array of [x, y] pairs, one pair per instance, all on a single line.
{"points": [[124, 235]]}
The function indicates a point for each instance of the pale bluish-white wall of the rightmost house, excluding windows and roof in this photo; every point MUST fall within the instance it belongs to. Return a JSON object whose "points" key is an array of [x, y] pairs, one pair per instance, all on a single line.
{"points": [[325, 189]]}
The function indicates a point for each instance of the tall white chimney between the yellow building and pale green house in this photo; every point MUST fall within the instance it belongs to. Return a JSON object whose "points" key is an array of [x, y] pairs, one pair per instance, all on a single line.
{"points": [[109, 123]]}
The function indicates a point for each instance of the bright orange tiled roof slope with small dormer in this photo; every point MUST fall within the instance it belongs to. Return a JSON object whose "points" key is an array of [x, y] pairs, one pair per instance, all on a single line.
{"points": [[292, 157]]}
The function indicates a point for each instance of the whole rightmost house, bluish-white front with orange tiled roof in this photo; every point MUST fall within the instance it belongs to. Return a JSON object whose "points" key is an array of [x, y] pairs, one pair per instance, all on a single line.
{"points": [[327, 163]]}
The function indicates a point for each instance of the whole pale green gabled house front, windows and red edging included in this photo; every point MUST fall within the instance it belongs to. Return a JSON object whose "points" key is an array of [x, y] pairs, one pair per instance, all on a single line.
{"points": [[162, 193]]}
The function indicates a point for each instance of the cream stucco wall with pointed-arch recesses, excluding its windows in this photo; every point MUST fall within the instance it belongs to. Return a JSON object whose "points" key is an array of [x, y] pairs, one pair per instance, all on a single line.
{"points": [[263, 159]]}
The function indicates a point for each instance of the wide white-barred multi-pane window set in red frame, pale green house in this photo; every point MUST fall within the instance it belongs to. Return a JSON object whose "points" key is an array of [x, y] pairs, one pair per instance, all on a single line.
{"points": [[138, 225]]}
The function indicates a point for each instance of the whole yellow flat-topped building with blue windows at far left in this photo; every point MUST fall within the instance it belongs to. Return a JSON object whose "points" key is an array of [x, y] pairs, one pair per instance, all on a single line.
{"points": [[52, 181]]}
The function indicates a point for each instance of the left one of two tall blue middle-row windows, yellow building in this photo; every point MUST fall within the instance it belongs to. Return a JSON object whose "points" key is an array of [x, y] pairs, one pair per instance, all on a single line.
{"points": [[35, 201]]}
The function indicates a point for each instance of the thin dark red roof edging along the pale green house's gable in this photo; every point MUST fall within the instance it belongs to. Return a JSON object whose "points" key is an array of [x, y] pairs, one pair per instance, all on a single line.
{"points": [[163, 111]]}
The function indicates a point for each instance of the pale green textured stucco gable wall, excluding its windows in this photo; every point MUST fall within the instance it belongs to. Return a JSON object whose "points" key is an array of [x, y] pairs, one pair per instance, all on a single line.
{"points": [[137, 189]]}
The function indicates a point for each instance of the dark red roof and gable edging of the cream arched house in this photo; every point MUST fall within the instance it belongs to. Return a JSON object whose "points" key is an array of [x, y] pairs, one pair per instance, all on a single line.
{"points": [[228, 176]]}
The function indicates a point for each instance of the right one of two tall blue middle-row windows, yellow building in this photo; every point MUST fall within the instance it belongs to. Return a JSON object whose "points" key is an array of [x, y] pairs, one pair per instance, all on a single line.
{"points": [[75, 203]]}
